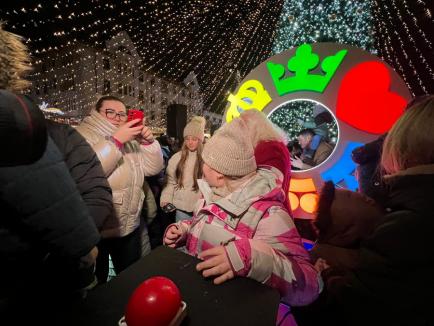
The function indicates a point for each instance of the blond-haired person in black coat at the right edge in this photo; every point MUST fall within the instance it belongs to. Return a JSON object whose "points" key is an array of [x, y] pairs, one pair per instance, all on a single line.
{"points": [[393, 283]]}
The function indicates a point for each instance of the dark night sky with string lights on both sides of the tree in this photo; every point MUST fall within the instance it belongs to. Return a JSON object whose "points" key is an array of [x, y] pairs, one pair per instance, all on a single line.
{"points": [[221, 41]]}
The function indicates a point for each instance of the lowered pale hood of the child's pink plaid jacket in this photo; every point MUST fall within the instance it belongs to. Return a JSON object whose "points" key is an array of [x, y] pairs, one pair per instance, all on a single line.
{"points": [[266, 185]]}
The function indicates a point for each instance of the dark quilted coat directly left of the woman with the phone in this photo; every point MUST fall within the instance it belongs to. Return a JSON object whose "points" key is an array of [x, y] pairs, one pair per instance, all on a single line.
{"points": [[86, 170]]}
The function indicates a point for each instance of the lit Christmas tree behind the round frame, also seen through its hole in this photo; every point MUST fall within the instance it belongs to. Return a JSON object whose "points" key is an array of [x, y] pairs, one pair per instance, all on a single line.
{"points": [[311, 21]]}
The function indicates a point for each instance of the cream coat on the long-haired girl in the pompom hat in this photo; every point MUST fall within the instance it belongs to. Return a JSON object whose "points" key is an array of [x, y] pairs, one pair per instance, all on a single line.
{"points": [[184, 198]]}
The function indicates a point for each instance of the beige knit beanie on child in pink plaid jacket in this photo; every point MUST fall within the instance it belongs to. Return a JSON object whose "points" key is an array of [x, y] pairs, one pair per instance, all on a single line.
{"points": [[230, 151]]}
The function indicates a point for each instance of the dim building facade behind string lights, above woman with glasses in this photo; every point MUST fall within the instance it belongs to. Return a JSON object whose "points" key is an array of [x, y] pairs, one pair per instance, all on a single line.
{"points": [[77, 76]]}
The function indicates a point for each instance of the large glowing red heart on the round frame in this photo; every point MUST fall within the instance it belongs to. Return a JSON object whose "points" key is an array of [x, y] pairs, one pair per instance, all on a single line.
{"points": [[364, 100]]}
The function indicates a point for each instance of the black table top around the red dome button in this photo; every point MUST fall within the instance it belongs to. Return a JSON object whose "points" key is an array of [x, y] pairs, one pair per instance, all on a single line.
{"points": [[240, 301]]}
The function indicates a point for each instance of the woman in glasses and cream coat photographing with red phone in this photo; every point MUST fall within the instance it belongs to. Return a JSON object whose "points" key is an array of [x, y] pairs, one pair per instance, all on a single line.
{"points": [[128, 153]]}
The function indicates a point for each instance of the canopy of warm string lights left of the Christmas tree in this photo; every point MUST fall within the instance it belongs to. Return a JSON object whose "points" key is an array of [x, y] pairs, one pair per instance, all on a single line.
{"points": [[214, 41]]}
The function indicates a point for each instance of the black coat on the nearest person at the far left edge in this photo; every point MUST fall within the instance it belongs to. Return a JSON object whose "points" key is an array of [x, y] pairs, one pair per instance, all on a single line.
{"points": [[42, 216]]}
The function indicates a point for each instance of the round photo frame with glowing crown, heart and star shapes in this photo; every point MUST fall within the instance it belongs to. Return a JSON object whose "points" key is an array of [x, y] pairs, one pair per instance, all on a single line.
{"points": [[364, 93]]}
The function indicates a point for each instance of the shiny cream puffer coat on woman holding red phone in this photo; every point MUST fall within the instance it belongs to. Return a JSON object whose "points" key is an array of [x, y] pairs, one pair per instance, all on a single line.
{"points": [[125, 172]]}
